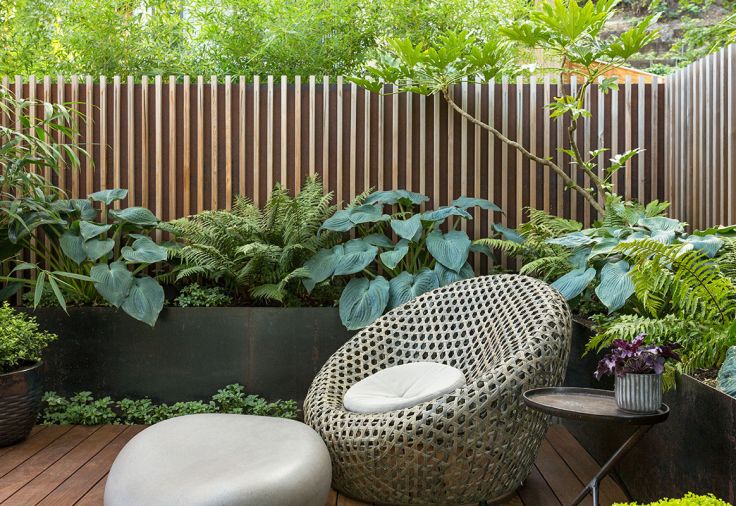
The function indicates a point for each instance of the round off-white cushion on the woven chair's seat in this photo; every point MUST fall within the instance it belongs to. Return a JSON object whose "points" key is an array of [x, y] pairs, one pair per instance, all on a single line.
{"points": [[402, 386]]}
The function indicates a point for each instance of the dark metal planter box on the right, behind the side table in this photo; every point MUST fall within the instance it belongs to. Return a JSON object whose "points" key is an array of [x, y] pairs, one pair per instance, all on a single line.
{"points": [[694, 450]]}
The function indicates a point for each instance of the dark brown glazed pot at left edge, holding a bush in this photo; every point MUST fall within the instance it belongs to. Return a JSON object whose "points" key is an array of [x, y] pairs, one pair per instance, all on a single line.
{"points": [[20, 399]]}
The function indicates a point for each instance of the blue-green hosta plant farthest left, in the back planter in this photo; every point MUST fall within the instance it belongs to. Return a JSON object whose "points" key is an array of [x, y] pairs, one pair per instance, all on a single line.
{"points": [[96, 259]]}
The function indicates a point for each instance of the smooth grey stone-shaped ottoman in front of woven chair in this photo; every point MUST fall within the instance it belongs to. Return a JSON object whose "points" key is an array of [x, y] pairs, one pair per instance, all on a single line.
{"points": [[224, 460]]}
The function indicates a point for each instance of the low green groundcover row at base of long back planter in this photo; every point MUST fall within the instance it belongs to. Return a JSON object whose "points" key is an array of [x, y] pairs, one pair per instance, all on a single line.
{"points": [[83, 409]]}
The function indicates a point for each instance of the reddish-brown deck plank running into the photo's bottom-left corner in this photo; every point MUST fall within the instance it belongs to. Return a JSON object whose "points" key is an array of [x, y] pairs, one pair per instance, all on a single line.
{"points": [[38, 463]]}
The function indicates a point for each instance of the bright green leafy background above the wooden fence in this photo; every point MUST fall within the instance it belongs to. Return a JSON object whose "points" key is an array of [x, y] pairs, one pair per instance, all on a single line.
{"points": [[239, 37]]}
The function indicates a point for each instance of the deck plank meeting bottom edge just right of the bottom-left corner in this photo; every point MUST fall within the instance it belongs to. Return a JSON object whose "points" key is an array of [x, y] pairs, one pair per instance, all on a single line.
{"points": [[43, 484]]}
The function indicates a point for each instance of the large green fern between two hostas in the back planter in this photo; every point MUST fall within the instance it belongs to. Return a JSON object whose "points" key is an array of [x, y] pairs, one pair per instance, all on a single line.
{"points": [[258, 255]]}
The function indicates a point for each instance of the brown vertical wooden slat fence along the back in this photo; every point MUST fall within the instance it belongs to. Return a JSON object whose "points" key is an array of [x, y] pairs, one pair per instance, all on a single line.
{"points": [[185, 145]]}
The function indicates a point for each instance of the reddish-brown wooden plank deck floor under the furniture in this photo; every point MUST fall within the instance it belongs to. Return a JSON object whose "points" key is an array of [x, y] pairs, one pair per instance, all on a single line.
{"points": [[68, 465]]}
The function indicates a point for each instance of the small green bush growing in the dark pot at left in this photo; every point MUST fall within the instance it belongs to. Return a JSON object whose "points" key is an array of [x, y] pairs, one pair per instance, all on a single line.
{"points": [[21, 342]]}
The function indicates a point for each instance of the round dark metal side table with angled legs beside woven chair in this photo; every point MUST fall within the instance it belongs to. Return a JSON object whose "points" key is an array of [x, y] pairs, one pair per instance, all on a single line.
{"points": [[593, 405]]}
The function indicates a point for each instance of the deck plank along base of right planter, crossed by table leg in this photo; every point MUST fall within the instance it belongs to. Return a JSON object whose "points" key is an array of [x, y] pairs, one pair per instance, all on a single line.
{"points": [[582, 464]]}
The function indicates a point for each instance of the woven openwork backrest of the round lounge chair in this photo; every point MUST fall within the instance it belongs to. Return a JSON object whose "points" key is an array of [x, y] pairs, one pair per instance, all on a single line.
{"points": [[472, 324]]}
